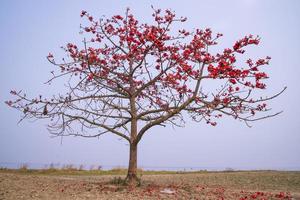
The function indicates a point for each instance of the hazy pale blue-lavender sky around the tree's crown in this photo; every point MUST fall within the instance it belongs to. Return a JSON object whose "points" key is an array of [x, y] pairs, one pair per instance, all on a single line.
{"points": [[31, 29]]}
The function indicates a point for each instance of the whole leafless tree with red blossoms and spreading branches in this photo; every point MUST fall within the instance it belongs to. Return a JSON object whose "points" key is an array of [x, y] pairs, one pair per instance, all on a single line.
{"points": [[128, 77]]}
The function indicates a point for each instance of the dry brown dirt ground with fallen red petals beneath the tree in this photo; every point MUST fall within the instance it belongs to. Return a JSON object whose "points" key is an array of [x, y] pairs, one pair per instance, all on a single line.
{"points": [[233, 186]]}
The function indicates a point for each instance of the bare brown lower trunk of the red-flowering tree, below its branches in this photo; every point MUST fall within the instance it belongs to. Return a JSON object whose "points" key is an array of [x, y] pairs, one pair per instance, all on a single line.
{"points": [[132, 178]]}
